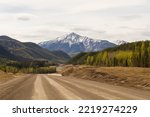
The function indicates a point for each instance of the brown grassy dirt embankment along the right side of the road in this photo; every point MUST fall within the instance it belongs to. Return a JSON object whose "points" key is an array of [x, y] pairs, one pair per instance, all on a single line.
{"points": [[121, 76]]}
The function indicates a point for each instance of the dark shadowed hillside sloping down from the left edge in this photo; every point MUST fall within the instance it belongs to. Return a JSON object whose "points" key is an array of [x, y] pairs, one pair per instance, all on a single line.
{"points": [[18, 51]]}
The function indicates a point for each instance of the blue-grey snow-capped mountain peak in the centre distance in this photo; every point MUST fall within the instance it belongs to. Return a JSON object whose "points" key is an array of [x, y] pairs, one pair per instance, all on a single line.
{"points": [[74, 43]]}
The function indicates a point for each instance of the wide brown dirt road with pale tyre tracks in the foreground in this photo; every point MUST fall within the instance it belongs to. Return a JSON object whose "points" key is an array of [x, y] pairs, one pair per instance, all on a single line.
{"points": [[51, 87]]}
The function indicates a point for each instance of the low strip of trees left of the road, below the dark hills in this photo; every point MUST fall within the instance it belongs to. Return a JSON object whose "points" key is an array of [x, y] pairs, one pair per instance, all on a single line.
{"points": [[27, 67]]}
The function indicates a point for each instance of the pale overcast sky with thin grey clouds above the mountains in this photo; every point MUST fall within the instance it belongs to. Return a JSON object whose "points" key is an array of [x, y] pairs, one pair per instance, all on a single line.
{"points": [[40, 20]]}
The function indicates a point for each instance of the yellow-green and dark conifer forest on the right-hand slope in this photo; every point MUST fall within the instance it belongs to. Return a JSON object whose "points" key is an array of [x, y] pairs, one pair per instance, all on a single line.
{"points": [[136, 54]]}
